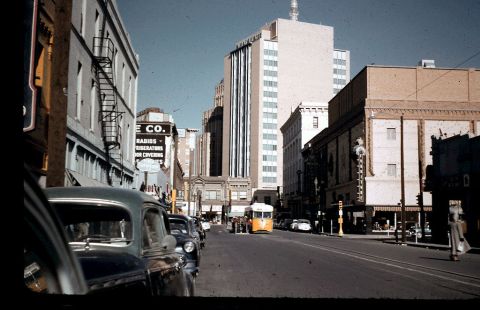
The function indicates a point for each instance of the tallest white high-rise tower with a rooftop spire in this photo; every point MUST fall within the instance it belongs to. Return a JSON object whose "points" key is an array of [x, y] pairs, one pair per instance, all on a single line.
{"points": [[265, 79]]}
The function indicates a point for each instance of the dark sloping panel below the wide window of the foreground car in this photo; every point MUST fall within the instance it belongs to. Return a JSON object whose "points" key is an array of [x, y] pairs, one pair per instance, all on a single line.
{"points": [[101, 266]]}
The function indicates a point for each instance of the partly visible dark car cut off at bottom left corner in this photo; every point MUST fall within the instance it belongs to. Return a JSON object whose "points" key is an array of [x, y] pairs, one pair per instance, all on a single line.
{"points": [[50, 266]]}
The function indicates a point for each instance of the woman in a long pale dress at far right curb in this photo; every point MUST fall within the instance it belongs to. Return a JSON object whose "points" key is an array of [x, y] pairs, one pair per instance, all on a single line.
{"points": [[459, 244]]}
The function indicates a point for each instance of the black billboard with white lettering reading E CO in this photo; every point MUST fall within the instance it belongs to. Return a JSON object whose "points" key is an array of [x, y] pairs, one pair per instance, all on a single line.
{"points": [[150, 141]]}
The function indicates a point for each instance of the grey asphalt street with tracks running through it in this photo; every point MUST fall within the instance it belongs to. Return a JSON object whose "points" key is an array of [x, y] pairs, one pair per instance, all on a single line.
{"points": [[288, 264]]}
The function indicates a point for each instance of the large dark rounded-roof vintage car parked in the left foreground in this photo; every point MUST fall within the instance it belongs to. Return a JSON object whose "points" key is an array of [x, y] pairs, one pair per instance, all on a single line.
{"points": [[122, 239]]}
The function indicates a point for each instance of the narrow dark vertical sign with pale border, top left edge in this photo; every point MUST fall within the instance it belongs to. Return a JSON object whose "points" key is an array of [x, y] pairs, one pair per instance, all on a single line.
{"points": [[29, 90]]}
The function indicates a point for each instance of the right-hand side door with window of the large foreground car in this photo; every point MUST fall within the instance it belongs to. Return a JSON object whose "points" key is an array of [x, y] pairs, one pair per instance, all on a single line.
{"points": [[164, 267]]}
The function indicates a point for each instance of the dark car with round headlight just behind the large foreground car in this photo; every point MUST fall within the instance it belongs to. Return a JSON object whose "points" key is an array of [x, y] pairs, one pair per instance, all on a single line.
{"points": [[182, 228]]}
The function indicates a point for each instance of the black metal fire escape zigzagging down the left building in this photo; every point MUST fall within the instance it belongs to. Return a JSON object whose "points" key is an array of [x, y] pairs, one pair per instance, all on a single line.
{"points": [[109, 114]]}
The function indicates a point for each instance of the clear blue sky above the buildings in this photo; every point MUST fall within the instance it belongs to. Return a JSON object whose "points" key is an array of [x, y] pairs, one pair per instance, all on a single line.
{"points": [[182, 43]]}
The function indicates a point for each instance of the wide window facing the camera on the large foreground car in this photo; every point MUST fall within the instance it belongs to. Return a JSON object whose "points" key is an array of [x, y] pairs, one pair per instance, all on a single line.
{"points": [[96, 224]]}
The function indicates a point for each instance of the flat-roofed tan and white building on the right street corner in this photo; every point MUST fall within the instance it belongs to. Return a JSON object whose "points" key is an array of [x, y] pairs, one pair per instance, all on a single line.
{"points": [[357, 159]]}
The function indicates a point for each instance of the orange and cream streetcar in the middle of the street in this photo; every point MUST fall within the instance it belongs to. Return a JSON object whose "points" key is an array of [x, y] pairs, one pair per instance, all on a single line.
{"points": [[259, 218]]}
